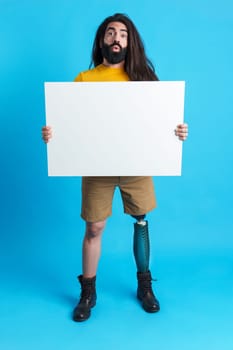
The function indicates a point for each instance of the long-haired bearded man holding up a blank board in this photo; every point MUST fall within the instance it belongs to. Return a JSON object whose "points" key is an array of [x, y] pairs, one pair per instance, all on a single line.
{"points": [[118, 55]]}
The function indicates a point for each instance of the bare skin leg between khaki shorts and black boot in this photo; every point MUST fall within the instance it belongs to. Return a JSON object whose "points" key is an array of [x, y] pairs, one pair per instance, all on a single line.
{"points": [[92, 248]]}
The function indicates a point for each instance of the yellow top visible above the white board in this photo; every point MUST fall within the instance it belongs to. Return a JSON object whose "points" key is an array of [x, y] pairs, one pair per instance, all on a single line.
{"points": [[102, 73]]}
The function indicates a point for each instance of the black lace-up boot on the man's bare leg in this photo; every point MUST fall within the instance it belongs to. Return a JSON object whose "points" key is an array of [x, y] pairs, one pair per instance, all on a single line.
{"points": [[87, 299]]}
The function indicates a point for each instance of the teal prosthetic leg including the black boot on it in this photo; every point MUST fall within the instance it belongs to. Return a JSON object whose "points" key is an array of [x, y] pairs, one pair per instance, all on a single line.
{"points": [[141, 247]]}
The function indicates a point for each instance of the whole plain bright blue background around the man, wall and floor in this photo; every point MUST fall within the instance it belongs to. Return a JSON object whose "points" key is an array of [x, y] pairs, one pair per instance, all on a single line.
{"points": [[191, 230]]}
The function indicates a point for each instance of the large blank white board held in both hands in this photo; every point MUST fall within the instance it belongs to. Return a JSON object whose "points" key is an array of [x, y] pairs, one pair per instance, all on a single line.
{"points": [[114, 128]]}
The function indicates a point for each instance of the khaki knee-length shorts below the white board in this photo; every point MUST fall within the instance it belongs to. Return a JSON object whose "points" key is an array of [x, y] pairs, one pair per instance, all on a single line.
{"points": [[137, 194]]}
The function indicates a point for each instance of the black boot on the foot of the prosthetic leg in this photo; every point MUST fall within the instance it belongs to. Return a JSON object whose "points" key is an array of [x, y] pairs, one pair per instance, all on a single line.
{"points": [[145, 293]]}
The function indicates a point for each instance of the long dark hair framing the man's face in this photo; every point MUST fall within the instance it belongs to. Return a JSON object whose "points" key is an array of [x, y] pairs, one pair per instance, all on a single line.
{"points": [[137, 65]]}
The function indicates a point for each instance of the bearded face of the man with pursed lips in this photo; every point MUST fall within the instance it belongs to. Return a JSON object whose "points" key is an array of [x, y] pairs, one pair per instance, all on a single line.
{"points": [[114, 47]]}
